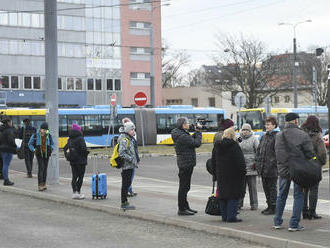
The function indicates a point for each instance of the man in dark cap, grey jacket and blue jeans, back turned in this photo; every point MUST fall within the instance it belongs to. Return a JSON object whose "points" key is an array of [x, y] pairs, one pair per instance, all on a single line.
{"points": [[295, 136]]}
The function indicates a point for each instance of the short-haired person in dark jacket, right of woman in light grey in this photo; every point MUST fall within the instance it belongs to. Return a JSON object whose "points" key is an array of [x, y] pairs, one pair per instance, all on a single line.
{"points": [[267, 165]]}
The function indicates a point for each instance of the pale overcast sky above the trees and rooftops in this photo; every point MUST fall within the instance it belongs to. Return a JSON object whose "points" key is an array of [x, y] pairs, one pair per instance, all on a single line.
{"points": [[193, 24]]}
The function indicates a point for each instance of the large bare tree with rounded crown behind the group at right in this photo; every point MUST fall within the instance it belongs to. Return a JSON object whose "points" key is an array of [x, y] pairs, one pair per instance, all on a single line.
{"points": [[248, 69]]}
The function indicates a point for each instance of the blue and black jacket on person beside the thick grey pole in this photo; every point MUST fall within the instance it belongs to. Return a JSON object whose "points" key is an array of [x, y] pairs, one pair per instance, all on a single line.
{"points": [[35, 144]]}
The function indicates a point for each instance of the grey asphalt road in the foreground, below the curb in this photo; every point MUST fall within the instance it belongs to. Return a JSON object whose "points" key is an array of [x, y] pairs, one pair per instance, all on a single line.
{"points": [[27, 222]]}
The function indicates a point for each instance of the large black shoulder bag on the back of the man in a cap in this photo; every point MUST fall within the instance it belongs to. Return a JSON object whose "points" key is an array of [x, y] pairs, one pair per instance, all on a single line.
{"points": [[304, 172]]}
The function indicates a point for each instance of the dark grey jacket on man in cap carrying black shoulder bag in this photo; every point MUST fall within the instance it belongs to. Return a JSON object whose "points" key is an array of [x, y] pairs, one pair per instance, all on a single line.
{"points": [[296, 137]]}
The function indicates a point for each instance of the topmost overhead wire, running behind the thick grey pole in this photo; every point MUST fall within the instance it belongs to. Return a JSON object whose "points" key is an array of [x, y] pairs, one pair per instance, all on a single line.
{"points": [[79, 8]]}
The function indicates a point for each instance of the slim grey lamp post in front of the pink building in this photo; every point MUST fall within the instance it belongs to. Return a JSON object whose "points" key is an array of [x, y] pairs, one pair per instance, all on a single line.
{"points": [[152, 76]]}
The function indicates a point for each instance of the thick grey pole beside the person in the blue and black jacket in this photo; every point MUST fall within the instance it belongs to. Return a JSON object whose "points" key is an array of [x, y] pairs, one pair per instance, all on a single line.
{"points": [[50, 12]]}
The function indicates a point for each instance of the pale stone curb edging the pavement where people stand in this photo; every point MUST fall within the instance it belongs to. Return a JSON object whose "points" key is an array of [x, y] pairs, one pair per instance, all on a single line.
{"points": [[260, 239]]}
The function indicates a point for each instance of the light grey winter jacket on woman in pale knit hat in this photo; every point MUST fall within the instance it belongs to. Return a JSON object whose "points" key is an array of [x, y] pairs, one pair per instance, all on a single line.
{"points": [[249, 146]]}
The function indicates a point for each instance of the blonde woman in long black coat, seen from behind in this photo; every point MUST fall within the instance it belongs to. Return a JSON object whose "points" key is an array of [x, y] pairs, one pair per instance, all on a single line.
{"points": [[230, 168]]}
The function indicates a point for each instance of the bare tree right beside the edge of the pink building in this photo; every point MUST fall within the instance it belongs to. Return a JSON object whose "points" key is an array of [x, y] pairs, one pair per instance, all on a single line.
{"points": [[172, 64]]}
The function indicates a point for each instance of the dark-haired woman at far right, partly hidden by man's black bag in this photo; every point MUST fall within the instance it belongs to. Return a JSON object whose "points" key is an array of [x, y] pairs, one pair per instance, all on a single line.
{"points": [[312, 127]]}
